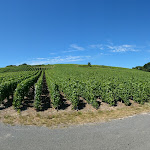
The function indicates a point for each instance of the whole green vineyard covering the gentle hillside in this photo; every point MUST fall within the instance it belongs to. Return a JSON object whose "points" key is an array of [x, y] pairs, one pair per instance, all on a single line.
{"points": [[94, 84]]}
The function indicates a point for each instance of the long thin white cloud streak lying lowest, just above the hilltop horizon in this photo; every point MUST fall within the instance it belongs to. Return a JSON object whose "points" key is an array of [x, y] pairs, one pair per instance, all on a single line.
{"points": [[59, 59]]}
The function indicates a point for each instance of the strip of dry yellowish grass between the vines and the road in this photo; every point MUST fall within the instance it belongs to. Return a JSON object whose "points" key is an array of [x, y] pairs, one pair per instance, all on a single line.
{"points": [[65, 119]]}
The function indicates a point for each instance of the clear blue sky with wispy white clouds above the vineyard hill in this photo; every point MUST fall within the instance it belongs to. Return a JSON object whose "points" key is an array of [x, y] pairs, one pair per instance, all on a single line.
{"points": [[103, 32]]}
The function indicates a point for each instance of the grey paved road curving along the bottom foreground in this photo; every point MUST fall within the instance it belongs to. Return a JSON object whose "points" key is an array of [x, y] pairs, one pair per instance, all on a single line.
{"points": [[132, 133]]}
